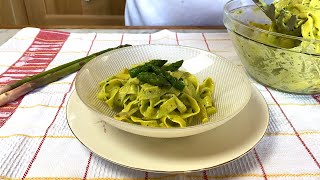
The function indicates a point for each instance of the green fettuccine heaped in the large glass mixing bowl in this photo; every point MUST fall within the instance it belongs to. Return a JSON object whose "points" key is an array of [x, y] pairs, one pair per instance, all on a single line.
{"points": [[307, 26]]}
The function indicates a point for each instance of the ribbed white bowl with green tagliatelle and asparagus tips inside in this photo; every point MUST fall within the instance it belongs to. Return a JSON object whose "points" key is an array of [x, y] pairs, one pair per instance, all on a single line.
{"points": [[136, 90]]}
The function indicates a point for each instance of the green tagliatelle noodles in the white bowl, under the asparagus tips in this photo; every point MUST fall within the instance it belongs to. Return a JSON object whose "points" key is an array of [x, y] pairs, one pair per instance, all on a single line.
{"points": [[158, 106]]}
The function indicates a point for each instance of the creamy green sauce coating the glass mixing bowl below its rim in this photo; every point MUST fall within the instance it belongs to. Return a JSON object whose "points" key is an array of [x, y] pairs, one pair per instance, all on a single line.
{"points": [[279, 68]]}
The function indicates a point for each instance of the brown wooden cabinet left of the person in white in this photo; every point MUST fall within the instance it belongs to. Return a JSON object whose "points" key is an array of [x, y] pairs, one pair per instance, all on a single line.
{"points": [[65, 12]]}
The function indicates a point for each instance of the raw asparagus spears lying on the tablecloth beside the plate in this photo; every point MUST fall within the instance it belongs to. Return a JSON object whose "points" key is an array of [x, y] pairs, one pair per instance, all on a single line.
{"points": [[13, 91]]}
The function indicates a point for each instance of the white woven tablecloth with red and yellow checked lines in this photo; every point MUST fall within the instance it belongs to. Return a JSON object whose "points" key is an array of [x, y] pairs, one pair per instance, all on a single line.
{"points": [[36, 142]]}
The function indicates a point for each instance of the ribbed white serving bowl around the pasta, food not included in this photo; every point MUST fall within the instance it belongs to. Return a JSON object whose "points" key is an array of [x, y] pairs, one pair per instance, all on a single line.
{"points": [[232, 87]]}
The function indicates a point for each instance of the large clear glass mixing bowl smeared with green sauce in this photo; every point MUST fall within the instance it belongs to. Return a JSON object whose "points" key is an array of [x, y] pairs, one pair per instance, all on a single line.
{"points": [[283, 62]]}
